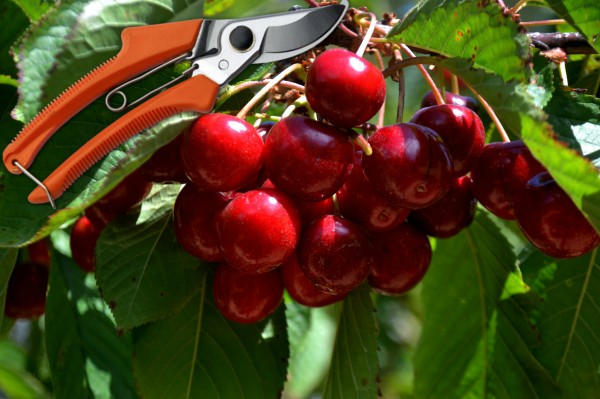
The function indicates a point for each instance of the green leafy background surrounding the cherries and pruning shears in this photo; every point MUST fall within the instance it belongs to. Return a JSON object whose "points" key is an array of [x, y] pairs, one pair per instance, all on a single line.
{"points": [[493, 317]]}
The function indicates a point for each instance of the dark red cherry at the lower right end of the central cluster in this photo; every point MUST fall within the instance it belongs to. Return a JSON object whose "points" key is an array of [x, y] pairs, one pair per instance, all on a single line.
{"points": [[402, 257]]}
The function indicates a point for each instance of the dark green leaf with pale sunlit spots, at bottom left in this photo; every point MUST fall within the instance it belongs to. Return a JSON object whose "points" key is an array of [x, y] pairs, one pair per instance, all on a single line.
{"points": [[86, 356]]}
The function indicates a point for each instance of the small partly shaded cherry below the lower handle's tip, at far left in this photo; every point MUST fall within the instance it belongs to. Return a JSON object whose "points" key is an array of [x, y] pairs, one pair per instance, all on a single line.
{"points": [[84, 237]]}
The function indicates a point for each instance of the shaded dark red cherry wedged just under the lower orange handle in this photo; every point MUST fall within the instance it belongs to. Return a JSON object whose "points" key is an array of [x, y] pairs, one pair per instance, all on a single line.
{"points": [[165, 165]]}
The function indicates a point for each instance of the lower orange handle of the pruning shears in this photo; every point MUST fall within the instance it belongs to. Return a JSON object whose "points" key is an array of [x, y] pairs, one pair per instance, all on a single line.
{"points": [[195, 94]]}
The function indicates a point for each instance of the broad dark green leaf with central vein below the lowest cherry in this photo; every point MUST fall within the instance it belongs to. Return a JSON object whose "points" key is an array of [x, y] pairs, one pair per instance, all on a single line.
{"points": [[197, 353]]}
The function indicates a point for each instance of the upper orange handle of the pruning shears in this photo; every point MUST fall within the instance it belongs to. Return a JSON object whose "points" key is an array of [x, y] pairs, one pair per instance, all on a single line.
{"points": [[143, 48]]}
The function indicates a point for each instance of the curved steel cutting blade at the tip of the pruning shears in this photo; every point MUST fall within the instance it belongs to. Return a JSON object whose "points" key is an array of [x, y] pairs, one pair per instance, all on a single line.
{"points": [[296, 32]]}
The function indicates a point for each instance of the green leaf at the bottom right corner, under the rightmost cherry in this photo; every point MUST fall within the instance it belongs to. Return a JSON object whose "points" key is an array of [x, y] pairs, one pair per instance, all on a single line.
{"points": [[568, 320]]}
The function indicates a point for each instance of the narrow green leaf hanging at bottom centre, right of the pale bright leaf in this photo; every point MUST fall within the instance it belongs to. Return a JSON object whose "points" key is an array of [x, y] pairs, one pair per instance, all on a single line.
{"points": [[354, 370]]}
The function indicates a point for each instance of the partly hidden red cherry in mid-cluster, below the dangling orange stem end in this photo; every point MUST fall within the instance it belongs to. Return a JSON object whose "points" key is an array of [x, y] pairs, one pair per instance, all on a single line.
{"points": [[361, 204]]}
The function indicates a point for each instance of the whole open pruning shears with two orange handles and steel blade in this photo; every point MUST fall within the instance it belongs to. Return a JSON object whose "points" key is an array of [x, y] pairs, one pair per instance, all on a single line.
{"points": [[217, 50]]}
